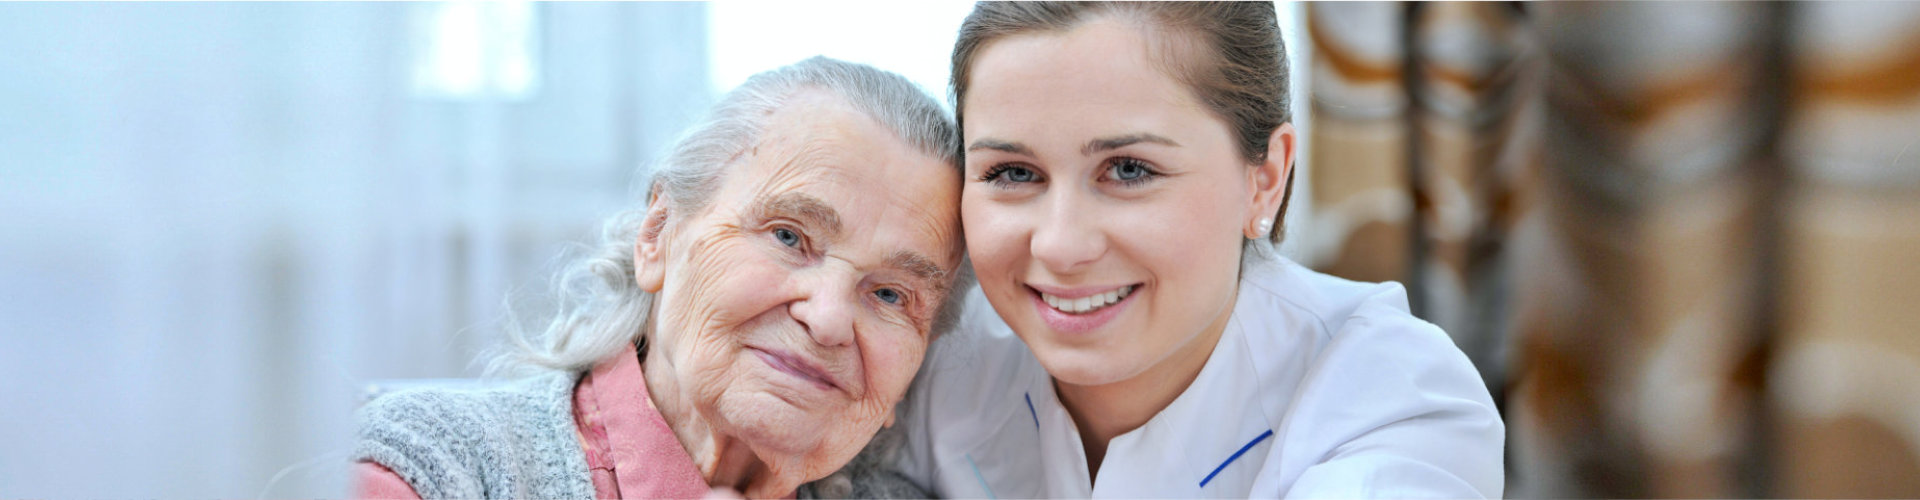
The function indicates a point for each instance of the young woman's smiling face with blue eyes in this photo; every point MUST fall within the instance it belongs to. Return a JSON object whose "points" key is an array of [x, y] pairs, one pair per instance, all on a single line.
{"points": [[1105, 205]]}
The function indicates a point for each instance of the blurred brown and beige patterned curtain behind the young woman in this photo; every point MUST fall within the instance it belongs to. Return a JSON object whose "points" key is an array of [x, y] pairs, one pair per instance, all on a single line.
{"points": [[1681, 241]]}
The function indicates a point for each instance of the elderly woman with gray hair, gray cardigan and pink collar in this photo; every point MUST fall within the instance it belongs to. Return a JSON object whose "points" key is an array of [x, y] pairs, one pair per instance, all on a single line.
{"points": [[750, 328]]}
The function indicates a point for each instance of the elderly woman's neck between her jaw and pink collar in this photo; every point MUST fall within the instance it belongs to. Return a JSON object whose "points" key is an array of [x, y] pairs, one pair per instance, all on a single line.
{"points": [[723, 461]]}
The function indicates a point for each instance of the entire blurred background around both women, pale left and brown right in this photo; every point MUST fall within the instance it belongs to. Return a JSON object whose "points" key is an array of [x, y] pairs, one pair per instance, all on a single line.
{"points": [[1677, 239]]}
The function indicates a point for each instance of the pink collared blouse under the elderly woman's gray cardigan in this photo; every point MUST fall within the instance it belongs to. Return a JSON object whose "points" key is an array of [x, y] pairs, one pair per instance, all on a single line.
{"points": [[631, 451]]}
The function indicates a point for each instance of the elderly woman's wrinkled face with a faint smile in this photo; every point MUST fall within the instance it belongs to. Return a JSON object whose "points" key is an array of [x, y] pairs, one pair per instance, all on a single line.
{"points": [[798, 305]]}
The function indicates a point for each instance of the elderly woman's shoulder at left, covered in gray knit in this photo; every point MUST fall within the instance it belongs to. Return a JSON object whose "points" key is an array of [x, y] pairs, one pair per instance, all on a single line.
{"points": [[458, 441]]}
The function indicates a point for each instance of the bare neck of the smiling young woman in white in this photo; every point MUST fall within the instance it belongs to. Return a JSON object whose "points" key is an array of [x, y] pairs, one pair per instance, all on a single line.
{"points": [[1103, 412]]}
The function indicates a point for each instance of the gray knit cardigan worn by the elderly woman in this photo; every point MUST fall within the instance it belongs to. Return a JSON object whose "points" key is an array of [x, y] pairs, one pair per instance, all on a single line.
{"points": [[517, 441]]}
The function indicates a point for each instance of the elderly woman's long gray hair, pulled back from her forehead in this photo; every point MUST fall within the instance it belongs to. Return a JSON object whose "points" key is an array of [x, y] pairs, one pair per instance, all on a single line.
{"points": [[602, 309]]}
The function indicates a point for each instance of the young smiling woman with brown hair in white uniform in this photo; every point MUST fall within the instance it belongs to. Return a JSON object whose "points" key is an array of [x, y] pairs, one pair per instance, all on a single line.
{"points": [[1126, 166]]}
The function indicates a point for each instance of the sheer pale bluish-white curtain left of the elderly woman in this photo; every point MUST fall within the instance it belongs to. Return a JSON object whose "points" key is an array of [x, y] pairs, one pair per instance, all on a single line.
{"points": [[220, 220]]}
